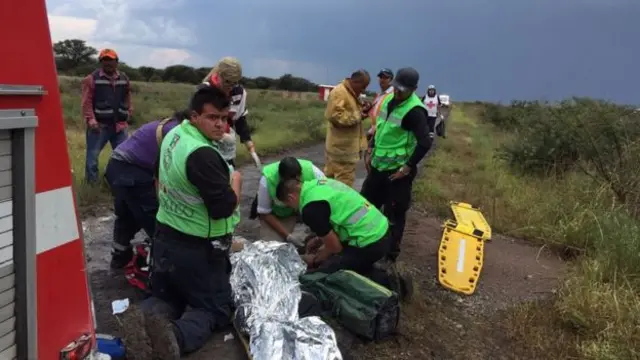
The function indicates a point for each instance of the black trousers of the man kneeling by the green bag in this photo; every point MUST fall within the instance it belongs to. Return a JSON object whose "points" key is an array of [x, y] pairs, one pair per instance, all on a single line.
{"points": [[360, 260]]}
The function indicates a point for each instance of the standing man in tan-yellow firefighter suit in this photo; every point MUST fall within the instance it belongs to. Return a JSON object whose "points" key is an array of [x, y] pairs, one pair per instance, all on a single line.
{"points": [[345, 134]]}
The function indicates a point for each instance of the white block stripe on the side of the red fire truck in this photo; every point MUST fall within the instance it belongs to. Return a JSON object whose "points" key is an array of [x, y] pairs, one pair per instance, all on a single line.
{"points": [[56, 222]]}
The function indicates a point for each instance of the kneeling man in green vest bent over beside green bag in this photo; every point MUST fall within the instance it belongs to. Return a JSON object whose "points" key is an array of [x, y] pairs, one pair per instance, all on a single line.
{"points": [[351, 233]]}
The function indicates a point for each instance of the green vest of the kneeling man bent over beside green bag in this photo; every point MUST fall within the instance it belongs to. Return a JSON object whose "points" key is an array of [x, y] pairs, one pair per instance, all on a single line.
{"points": [[355, 221]]}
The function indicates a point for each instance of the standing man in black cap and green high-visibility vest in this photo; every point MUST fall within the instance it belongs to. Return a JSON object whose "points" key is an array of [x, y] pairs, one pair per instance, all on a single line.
{"points": [[403, 137]]}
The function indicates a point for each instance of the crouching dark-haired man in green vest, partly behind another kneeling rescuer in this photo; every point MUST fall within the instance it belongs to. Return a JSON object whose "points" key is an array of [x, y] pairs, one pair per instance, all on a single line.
{"points": [[277, 221]]}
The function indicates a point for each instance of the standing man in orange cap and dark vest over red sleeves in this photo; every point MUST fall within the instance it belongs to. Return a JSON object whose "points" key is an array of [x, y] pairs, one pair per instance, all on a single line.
{"points": [[106, 107]]}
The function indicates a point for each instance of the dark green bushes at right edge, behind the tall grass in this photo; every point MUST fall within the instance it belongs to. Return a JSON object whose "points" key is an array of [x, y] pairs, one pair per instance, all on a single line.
{"points": [[598, 138]]}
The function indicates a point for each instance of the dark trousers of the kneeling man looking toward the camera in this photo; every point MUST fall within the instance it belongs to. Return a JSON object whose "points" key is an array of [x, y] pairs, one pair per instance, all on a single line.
{"points": [[190, 285]]}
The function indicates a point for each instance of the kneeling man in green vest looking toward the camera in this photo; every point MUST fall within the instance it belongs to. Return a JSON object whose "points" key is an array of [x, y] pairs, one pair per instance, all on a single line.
{"points": [[198, 195]]}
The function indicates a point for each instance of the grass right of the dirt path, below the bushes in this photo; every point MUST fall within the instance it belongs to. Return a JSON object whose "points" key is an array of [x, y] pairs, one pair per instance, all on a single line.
{"points": [[597, 310]]}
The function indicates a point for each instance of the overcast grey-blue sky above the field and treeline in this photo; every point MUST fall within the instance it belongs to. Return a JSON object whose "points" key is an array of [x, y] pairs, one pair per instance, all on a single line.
{"points": [[494, 50]]}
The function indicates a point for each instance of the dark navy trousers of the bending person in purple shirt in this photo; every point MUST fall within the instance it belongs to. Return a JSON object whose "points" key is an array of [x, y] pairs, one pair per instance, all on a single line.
{"points": [[135, 201]]}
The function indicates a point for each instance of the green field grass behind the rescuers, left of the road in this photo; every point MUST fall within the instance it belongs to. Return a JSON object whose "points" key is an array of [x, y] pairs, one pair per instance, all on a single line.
{"points": [[279, 121]]}
